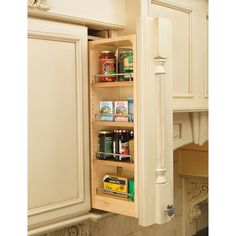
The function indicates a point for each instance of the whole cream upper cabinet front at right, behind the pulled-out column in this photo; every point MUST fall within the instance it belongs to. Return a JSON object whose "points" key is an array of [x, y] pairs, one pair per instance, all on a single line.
{"points": [[189, 22]]}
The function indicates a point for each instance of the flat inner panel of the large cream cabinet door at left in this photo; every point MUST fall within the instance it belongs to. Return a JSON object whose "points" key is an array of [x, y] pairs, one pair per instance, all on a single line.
{"points": [[52, 123]]}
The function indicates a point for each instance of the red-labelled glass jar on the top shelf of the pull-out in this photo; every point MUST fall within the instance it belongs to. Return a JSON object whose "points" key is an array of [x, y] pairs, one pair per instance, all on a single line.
{"points": [[107, 61]]}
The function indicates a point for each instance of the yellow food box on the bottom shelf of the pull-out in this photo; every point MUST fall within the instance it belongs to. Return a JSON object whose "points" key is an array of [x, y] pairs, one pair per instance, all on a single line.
{"points": [[116, 185]]}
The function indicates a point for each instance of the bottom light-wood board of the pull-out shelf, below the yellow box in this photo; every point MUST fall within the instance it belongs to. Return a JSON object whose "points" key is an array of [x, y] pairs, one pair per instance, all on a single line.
{"points": [[114, 204]]}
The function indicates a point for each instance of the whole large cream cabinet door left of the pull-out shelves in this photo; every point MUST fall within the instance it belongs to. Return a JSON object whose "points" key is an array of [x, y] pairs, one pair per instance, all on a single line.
{"points": [[58, 152]]}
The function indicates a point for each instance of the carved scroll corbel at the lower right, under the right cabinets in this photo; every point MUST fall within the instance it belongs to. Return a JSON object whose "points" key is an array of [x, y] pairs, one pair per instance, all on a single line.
{"points": [[197, 194]]}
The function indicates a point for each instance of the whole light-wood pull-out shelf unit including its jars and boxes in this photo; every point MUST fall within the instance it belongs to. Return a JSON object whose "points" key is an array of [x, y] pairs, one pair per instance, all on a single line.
{"points": [[113, 125]]}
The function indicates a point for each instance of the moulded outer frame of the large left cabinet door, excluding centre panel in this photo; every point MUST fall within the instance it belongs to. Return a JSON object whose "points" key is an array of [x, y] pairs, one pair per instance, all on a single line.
{"points": [[80, 204]]}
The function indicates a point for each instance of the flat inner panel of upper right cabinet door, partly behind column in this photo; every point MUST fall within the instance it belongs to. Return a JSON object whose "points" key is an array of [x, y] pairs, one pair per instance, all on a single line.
{"points": [[181, 47]]}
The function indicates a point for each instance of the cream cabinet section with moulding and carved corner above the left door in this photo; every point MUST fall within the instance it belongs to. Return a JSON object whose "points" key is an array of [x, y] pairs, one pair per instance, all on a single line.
{"points": [[96, 14]]}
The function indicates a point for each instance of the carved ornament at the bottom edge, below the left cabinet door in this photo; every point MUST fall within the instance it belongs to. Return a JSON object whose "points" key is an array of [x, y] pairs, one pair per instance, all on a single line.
{"points": [[73, 230]]}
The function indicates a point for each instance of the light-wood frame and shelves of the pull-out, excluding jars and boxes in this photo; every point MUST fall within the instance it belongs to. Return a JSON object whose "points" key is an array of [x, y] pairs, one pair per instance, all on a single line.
{"points": [[111, 91]]}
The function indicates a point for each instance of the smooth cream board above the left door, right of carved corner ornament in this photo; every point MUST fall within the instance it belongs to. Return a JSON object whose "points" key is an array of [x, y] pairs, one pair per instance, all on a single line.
{"points": [[110, 12]]}
